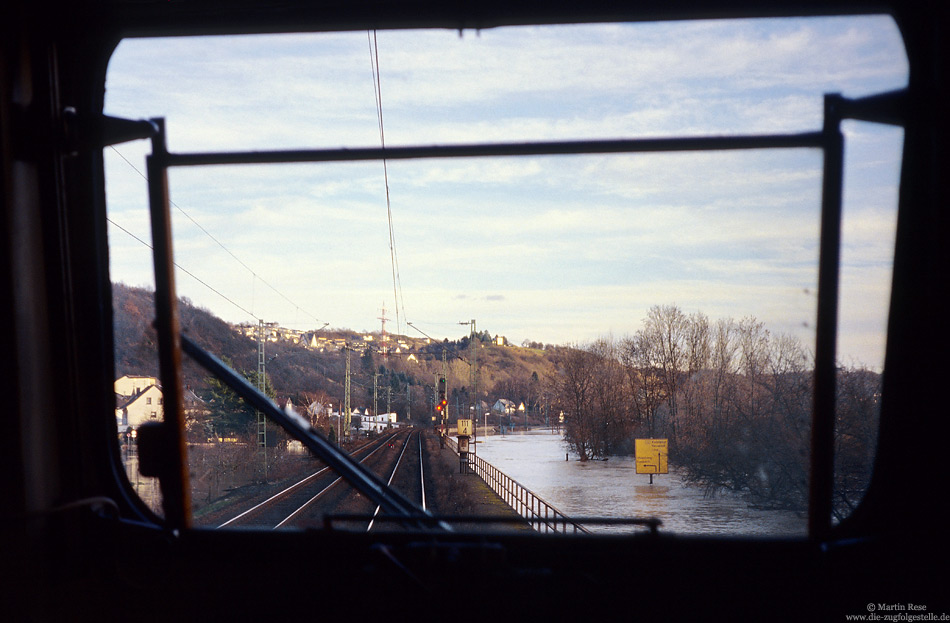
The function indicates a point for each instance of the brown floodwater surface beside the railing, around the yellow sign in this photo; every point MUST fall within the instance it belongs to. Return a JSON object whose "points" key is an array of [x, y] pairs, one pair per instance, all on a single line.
{"points": [[612, 488]]}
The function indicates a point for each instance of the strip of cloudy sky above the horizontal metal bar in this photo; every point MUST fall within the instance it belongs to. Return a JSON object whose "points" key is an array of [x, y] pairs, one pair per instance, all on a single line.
{"points": [[504, 84]]}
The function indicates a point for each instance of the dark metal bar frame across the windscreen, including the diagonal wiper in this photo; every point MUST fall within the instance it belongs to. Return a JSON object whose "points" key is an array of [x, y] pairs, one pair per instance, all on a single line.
{"points": [[882, 108]]}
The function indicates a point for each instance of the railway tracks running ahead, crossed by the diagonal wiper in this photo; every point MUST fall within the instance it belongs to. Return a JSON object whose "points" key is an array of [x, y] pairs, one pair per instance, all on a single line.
{"points": [[398, 459]]}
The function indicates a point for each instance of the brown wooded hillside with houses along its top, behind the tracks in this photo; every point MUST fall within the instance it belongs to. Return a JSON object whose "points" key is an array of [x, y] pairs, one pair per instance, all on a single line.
{"points": [[403, 384]]}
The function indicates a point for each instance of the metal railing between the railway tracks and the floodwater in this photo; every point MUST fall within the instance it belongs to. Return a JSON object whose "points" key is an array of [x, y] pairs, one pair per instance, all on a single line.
{"points": [[541, 515]]}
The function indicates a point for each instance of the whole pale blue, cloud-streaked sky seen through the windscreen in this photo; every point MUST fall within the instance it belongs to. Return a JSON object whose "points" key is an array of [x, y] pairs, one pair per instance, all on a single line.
{"points": [[558, 250]]}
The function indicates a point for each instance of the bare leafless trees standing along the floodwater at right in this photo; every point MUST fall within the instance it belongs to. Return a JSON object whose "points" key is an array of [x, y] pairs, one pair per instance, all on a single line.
{"points": [[733, 399]]}
